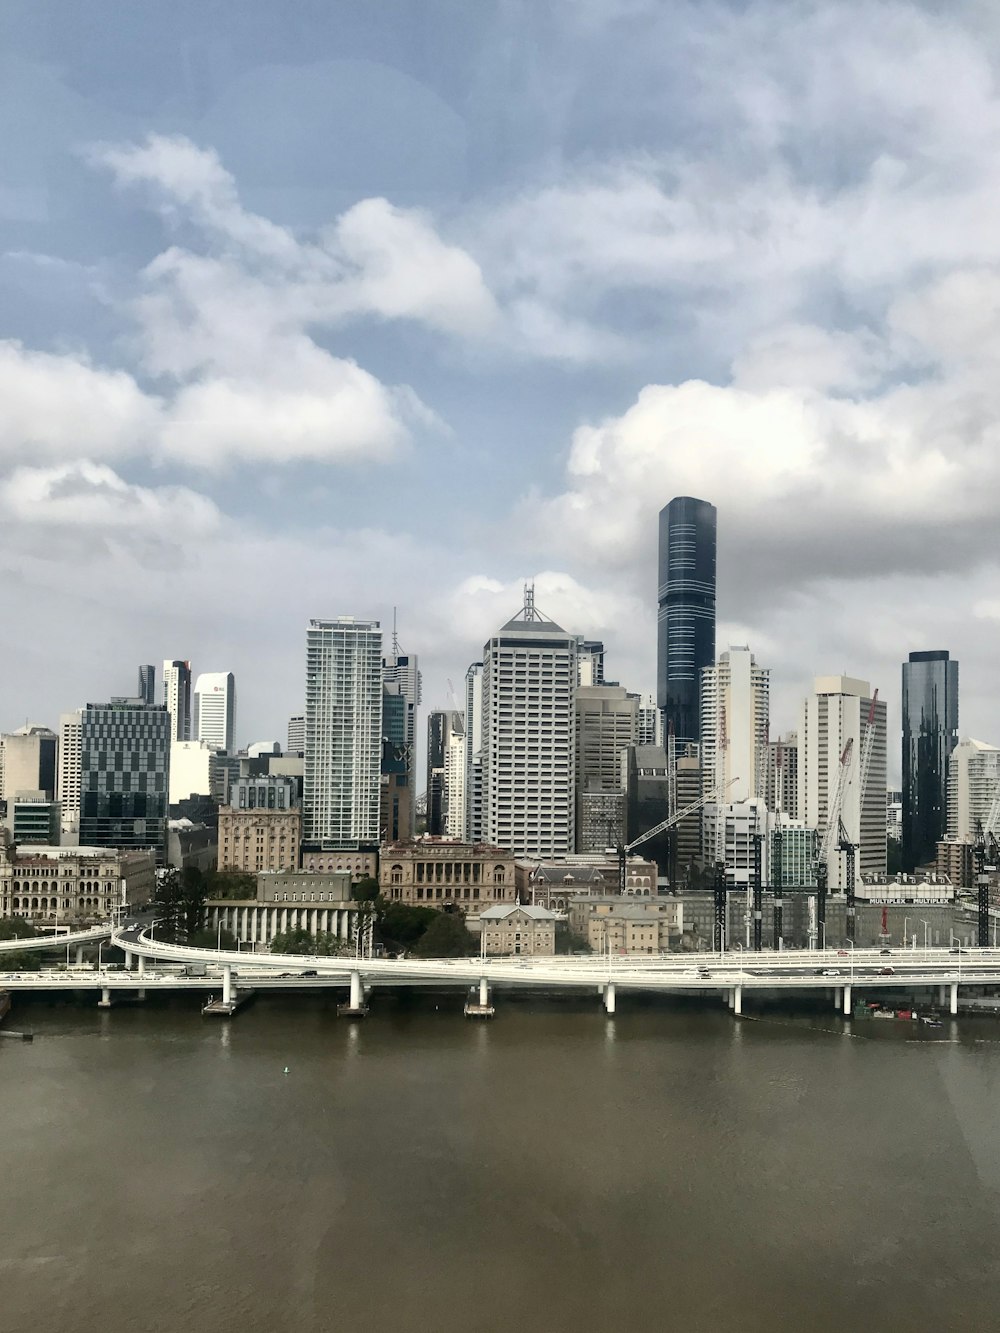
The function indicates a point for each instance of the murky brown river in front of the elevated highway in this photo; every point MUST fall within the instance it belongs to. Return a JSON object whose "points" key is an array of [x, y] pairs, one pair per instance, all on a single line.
{"points": [[554, 1171]]}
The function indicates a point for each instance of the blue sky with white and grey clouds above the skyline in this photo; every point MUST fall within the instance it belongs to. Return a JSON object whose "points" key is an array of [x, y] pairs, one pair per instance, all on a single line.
{"points": [[318, 309]]}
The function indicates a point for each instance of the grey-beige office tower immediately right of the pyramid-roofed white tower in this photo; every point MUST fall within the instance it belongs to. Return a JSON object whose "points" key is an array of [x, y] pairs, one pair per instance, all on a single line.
{"points": [[606, 726]]}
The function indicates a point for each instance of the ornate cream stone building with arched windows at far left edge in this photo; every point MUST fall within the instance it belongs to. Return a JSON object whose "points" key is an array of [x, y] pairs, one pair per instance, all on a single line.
{"points": [[74, 884]]}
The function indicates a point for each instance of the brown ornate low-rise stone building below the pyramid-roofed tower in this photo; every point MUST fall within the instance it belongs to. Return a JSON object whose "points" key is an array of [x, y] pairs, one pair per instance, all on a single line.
{"points": [[441, 872]]}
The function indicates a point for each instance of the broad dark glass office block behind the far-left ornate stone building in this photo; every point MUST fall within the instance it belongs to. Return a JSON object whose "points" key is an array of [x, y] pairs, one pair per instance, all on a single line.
{"points": [[125, 775]]}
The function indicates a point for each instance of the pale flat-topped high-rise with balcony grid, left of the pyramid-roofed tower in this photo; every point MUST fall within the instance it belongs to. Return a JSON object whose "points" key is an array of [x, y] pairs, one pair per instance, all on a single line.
{"points": [[343, 732]]}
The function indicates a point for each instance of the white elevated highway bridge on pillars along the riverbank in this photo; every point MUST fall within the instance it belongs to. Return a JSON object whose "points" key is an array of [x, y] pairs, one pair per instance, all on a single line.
{"points": [[171, 967]]}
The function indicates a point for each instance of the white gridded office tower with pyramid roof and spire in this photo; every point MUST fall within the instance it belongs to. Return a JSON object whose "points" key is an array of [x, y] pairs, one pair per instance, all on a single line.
{"points": [[529, 736]]}
